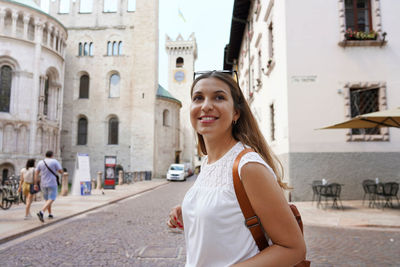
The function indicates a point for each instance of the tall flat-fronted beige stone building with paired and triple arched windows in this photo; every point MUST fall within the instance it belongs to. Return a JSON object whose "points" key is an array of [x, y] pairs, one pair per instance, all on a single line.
{"points": [[111, 80]]}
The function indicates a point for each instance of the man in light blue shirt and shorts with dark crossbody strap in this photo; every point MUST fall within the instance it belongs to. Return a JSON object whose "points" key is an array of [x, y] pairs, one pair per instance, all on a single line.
{"points": [[47, 169]]}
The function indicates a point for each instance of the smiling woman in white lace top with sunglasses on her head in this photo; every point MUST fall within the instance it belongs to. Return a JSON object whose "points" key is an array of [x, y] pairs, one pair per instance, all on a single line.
{"points": [[213, 223]]}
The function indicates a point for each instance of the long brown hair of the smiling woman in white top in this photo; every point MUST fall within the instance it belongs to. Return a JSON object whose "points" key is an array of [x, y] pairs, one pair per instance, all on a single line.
{"points": [[246, 128]]}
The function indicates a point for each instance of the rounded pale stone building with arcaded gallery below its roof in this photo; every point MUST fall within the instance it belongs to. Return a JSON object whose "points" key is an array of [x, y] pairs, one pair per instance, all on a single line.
{"points": [[32, 62]]}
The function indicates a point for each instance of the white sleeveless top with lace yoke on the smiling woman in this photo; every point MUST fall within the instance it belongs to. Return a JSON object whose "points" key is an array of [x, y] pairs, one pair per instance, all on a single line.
{"points": [[215, 233]]}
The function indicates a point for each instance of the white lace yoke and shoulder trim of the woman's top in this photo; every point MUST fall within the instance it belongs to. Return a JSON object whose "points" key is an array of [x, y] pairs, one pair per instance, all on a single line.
{"points": [[219, 174]]}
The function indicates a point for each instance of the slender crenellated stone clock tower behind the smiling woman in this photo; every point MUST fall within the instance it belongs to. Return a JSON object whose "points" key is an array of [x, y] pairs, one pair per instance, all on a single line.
{"points": [[181, 57]]}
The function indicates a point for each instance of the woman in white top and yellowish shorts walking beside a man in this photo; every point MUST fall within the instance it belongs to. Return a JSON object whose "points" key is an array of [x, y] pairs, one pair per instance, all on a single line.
{"points": [[25, 183]]}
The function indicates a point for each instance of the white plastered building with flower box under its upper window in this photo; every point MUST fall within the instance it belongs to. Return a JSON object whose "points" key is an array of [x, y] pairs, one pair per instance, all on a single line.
{"points": [[301, 68]]}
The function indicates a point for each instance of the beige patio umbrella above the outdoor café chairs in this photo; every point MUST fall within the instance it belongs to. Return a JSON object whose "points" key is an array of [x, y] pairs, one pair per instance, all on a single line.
{"points": [[384, 118]]}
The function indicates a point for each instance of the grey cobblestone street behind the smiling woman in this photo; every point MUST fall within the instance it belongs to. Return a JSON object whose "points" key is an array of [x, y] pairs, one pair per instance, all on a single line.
{"points": [[133, 233]]}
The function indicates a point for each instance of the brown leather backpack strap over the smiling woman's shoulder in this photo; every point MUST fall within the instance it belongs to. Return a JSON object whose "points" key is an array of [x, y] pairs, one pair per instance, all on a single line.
{"points": [[252, 221]]}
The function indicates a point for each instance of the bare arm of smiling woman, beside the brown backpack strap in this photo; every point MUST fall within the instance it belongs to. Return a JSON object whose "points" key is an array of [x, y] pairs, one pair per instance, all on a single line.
{"points": [[269, 203]]}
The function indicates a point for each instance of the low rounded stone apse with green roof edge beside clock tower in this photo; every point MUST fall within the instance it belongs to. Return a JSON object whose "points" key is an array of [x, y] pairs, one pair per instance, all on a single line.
{"points": [[167, 131]]}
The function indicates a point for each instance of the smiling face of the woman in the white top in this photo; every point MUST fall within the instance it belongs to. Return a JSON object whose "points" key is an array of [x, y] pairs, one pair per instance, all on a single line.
{"points": [[211, 110]]}
